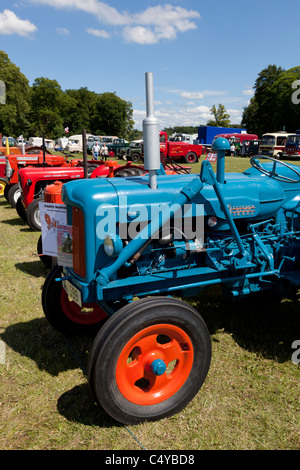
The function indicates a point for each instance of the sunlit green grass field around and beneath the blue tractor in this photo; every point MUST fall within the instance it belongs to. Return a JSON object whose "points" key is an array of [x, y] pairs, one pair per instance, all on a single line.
{"points": [[250, 399]]}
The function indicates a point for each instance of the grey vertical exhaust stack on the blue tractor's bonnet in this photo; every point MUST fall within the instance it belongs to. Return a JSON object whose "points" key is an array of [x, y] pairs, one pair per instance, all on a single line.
{"points": [[151, 135]]}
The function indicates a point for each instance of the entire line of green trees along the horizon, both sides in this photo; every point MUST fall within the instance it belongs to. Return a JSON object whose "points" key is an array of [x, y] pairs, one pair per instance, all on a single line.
{"points": [[45, 108]]}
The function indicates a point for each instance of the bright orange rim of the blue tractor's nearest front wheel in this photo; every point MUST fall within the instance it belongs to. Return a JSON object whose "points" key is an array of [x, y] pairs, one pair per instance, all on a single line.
{"points": [[136, 377]]}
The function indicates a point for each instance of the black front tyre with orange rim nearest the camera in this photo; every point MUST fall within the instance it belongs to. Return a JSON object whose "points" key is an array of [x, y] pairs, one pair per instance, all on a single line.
{"points": [[131, 392]]}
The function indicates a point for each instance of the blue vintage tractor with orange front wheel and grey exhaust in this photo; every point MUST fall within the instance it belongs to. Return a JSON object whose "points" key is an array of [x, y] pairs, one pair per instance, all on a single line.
{"points": [[142, 244]]}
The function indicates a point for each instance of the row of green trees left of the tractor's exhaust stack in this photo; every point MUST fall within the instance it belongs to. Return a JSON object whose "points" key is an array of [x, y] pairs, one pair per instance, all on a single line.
{"points": [[45, 108]]}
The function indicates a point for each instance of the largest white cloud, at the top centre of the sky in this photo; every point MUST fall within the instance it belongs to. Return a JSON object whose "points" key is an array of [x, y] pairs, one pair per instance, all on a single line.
{"points": [[147, 27]]}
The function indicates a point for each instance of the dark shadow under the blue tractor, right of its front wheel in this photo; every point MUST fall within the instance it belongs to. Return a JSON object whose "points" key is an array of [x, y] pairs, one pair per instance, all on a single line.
{"points": [[259, 323]]}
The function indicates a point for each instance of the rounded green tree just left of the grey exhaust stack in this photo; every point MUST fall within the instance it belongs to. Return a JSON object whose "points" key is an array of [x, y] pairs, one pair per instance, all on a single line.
{"points": [[112, 116]]}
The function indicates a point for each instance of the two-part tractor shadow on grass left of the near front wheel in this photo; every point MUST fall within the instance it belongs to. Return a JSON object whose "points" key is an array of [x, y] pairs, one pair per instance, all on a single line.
{"points": [[54, 353]]}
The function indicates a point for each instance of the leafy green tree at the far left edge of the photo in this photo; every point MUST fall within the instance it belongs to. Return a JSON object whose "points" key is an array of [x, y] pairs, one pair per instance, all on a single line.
{"points": [[14, 110]]}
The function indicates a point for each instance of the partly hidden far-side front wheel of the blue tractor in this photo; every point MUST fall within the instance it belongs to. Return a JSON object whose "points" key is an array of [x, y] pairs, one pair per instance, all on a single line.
{"points": [[63, 314]]}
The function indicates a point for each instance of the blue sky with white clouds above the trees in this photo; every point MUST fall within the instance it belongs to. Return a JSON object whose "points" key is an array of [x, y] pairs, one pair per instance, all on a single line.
{"points": [[200, 52]]}
